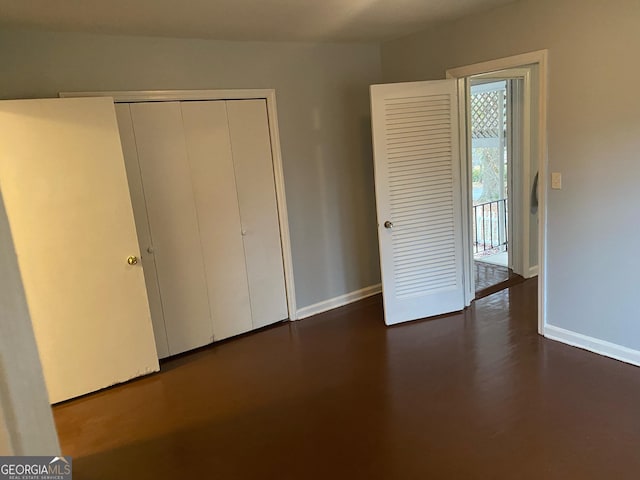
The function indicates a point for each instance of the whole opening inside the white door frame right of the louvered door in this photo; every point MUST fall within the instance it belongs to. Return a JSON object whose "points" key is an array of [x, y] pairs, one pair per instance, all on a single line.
{"points": [[503, 158]]}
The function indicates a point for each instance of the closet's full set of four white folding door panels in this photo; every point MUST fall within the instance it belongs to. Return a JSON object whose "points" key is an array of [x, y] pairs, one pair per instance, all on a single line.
{"points": [[202, 187]]}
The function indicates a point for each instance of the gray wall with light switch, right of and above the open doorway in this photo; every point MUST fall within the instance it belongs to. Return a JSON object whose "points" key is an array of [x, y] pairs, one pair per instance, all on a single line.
{"points": [[593, 229]]}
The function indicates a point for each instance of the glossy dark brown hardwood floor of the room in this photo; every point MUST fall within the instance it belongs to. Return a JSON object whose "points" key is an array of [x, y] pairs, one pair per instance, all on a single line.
{"points": [[475, 395]]}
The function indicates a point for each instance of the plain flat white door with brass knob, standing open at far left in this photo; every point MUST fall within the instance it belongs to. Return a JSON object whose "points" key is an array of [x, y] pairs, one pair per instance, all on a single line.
{"points": [[64, 185]]}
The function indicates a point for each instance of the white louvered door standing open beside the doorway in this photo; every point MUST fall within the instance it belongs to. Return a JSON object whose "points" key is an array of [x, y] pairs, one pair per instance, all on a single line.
{"points": [[418, 196]]}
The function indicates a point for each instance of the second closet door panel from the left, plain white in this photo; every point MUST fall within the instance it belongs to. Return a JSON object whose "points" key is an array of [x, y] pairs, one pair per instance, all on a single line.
{"points": [[173, 220]]}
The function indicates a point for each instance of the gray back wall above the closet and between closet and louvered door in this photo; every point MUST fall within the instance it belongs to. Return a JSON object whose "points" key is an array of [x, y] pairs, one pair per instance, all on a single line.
{"points": [[323, 107]]}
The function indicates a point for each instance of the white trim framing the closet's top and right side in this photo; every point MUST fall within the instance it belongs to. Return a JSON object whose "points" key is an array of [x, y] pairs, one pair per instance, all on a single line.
{"points": [[269, 95]]}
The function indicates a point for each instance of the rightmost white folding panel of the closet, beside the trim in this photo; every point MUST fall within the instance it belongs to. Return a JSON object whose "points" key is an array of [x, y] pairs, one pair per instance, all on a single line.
{"points": [[251, 146]]}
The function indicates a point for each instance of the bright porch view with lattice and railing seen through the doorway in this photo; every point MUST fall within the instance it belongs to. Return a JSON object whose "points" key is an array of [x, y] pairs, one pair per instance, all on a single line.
{"points": [[496, 123]]}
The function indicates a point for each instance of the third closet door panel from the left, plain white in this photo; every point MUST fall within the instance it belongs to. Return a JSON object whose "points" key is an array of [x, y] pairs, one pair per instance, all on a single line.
{"points": [[214, 189]]}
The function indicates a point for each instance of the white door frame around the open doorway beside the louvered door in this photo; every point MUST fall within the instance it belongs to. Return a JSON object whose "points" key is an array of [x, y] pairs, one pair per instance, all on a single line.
{"points": [[539, 58]]}
